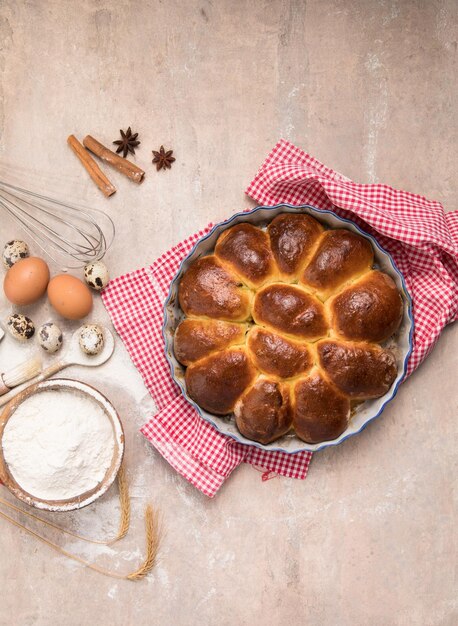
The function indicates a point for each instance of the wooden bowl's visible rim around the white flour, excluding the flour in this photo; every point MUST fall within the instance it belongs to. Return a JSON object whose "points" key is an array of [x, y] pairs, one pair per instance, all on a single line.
{"points": [[118, 435]]}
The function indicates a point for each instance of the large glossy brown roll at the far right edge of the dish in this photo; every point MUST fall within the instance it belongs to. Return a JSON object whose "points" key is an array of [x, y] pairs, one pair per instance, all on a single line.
{"points": [[370, 309]]}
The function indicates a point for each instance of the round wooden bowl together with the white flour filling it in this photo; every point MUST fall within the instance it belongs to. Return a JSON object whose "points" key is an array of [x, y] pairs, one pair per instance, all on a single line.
{"points": [[61, 445]]}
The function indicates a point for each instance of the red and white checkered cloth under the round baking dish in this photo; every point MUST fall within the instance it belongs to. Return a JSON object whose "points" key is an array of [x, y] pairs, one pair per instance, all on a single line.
{"points": [[421, 237]]}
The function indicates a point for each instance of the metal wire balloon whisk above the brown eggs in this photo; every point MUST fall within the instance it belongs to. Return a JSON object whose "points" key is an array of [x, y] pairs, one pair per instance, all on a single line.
{"points": [[61, 230]]}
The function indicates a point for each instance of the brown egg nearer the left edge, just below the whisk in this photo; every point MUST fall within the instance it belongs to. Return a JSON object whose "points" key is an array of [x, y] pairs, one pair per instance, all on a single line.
{"points": [[26, 281]]}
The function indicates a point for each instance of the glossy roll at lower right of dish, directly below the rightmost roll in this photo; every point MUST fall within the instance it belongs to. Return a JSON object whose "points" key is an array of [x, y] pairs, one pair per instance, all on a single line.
{"points": [[361, 370]]}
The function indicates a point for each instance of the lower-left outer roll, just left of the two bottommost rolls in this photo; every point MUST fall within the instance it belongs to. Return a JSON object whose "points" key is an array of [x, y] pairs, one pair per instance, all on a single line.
{"points": [[217, 381]]}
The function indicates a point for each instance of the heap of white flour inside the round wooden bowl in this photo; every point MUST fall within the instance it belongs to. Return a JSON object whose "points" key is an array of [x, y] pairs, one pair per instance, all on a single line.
{"points": [[58, 444]]}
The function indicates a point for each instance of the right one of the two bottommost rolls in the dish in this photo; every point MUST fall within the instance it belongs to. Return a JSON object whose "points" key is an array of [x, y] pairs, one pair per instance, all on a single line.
{"points": [[320, 411]]}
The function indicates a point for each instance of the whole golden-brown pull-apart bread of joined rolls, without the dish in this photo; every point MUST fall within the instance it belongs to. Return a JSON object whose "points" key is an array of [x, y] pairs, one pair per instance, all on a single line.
{"points": [[284, 328]]}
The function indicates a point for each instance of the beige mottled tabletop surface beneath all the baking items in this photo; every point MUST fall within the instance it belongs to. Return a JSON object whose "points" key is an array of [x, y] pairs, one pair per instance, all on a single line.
{"points": [[367, 86]]}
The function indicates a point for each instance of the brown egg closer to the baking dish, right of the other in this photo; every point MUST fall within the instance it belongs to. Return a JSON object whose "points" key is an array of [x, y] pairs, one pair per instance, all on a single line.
{"points": [[70, 297]]}
